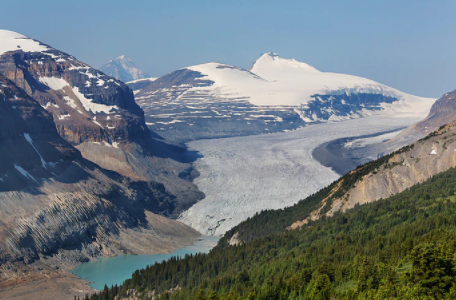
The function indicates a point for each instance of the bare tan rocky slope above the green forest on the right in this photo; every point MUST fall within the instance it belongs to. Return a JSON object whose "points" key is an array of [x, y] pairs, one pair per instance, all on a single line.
{"points": [[393, 173]]}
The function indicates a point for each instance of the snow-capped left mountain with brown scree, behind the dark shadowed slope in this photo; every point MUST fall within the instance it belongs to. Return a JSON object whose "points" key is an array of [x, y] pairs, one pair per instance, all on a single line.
{"points": [[96, 113]]}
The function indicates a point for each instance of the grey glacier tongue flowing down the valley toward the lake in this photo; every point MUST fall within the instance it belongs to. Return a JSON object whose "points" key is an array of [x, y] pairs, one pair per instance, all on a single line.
{"points": [[243, 175]]}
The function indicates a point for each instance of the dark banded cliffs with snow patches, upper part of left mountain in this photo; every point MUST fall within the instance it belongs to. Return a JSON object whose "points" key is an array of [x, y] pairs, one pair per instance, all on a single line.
{"points": [[88, 106]]}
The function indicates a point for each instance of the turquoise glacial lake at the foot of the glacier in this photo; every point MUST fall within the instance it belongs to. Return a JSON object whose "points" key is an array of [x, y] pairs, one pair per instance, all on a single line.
{"points": [[114, 270]]}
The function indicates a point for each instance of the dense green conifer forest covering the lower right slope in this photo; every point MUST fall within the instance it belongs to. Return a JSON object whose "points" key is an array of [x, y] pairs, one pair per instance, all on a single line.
{"points": [[402, 247]]}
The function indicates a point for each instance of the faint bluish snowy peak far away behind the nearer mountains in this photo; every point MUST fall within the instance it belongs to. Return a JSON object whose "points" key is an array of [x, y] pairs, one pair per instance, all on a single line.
{"points": [[123, 69]]}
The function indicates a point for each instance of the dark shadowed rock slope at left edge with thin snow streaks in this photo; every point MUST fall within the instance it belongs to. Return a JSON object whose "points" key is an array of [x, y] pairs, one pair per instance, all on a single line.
{"points": [[31, 149]]}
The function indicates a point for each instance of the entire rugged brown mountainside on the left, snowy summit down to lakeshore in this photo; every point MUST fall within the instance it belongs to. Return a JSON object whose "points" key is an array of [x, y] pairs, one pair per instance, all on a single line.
{"points": [[81, 175]]}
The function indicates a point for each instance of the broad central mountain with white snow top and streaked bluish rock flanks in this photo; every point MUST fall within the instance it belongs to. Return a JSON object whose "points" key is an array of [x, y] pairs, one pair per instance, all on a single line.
{"points": [[276, 94]]}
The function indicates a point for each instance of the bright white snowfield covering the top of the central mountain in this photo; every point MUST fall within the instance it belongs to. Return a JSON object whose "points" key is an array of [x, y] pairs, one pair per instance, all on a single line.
{"points": [[274, 81]]}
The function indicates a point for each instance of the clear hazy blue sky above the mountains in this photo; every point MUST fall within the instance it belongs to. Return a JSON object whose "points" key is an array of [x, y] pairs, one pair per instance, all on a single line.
{"points": [[409, 45]]}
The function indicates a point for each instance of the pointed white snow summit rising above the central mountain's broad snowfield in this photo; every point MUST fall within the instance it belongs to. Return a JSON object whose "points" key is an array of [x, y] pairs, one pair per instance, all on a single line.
{"points": [[270, 65]]}
